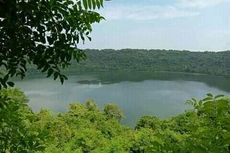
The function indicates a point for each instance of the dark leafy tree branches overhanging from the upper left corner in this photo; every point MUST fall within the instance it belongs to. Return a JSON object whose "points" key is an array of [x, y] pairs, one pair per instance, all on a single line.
{"points": [[44, 33]]}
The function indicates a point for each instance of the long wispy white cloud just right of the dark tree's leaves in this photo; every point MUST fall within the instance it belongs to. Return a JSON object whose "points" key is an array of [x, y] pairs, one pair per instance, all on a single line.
{"points": [[146, 12]]}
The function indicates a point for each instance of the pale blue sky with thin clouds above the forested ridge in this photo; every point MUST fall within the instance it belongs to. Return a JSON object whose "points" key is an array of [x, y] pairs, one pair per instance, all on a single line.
{"points": [[196, 25]]}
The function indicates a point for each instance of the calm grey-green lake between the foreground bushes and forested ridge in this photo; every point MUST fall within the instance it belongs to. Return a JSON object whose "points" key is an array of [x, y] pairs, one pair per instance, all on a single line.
{"points": [[137, 93]]}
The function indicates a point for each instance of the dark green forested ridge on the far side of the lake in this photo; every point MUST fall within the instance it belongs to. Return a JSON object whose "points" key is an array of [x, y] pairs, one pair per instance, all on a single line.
{"points": [[216, 63]]}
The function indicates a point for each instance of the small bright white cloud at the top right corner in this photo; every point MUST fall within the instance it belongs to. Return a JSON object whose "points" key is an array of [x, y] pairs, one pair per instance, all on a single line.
{"points": [[200, 3]]}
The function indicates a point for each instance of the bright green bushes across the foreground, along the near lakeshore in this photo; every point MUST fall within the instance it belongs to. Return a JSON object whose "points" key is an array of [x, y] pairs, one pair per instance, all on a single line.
{"points": [[85, 129]]}
